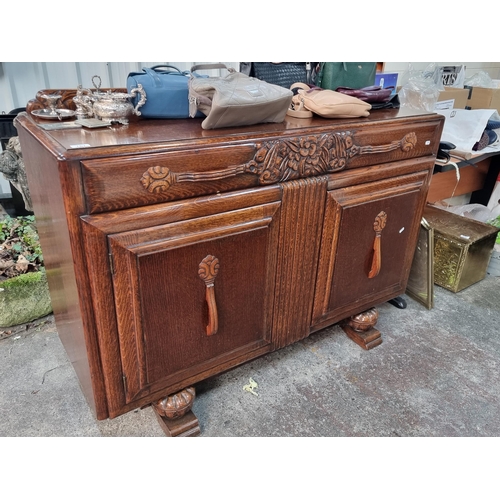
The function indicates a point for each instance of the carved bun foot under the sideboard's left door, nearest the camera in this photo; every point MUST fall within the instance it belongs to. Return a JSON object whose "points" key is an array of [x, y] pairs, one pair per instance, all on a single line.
{"points": [[175, 415]]}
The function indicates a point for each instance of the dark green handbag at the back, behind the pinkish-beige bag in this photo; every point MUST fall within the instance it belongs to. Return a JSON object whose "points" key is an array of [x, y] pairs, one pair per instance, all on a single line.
{"points": [[351, 74]]}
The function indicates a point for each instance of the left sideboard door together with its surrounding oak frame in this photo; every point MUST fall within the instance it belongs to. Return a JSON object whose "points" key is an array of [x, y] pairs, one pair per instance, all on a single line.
{"points": [[186, 298]]}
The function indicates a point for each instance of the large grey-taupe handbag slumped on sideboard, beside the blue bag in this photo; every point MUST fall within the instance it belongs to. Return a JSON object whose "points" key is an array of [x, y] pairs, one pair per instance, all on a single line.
{"points": [[235, 99]]}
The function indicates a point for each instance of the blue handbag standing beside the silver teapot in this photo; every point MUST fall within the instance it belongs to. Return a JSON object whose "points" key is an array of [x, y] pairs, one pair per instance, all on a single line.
{"points": [[166, 91]]}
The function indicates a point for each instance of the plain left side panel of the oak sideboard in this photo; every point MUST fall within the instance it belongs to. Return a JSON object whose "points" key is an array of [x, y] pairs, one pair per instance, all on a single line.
{"points": [[56, 201]]}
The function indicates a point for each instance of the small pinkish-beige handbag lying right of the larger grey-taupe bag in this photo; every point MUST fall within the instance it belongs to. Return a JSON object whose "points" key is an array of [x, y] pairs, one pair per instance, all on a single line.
{"points": [[326, 103]]}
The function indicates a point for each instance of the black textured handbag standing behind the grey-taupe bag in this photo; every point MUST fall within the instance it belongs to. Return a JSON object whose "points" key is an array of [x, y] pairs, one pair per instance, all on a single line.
{"points": [[284, 74]]}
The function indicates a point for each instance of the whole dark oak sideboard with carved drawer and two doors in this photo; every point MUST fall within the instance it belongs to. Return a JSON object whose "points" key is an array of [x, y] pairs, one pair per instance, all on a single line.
{"points": [[175, 253]]}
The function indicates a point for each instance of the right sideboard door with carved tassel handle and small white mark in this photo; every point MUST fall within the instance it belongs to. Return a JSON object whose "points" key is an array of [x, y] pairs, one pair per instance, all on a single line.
{"points": [[367, 247]]}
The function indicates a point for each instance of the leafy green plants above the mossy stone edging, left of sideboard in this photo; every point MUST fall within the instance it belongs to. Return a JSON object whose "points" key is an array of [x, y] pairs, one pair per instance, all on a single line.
{"points": [[20, 250]]}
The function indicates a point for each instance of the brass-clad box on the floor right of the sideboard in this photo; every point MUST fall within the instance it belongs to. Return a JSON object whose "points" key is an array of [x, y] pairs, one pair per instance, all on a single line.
{"points": [[462, 248]]}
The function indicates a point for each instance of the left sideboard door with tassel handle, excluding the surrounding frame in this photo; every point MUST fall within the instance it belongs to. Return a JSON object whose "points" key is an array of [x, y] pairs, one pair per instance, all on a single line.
{"points": [[193, 296]]}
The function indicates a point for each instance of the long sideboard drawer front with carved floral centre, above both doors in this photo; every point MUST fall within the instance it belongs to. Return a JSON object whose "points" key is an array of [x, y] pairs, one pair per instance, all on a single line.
{"points": [[117, 183]]}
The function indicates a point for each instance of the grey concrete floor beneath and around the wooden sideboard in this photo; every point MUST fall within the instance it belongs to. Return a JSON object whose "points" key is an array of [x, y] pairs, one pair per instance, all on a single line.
{"points": [[437, 373]]}
